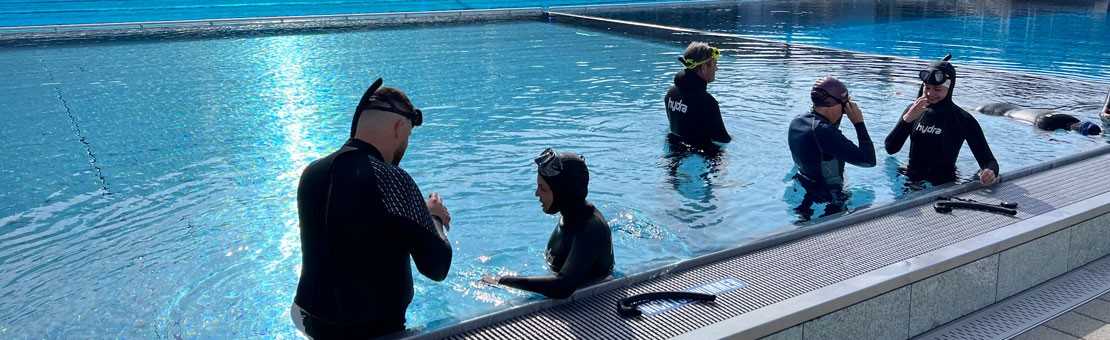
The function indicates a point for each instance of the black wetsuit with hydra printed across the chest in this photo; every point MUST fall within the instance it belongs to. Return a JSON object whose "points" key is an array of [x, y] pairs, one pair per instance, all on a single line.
{"points": [[936, 139]]}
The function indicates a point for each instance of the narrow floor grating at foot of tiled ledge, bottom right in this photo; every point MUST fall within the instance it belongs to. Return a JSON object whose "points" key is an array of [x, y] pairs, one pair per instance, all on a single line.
{"points": [[1018, 314]]}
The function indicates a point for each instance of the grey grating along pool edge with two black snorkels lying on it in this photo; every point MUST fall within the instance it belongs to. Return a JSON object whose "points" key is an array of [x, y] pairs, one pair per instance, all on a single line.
{"points": [[778, 274]]}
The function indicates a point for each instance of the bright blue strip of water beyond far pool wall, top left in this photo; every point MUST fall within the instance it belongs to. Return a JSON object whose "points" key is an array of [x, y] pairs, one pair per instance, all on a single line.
{"points": [[35, 13]]}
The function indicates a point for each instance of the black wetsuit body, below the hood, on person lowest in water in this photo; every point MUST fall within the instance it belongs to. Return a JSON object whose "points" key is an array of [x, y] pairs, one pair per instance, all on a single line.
{"points": [[580, 253]]}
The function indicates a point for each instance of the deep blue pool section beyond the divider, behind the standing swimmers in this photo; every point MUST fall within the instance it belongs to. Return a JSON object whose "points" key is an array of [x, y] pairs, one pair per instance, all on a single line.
{"points": [[1061, 38]]}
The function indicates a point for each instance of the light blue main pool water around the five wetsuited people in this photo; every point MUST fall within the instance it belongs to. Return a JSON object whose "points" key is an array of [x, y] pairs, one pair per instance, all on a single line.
{"points": [[154, 184]]}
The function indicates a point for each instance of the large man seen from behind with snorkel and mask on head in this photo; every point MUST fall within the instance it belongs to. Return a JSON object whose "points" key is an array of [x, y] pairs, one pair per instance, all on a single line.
{"points": [[362, 218]]}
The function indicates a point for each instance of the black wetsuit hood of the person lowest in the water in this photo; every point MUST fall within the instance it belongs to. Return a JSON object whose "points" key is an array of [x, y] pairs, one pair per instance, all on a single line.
{"points": [[571, 186]]}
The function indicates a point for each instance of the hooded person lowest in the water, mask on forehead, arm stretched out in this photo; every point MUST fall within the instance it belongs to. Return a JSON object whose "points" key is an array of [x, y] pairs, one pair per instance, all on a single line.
{"points": [[580, 251]]}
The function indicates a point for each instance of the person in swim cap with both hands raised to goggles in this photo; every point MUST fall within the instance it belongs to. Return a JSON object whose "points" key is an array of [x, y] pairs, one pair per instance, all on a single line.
{"points": [[820, 151]]}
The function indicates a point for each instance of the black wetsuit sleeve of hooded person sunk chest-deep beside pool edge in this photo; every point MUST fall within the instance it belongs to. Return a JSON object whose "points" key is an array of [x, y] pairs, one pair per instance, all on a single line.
{"points": [[588, 247]]}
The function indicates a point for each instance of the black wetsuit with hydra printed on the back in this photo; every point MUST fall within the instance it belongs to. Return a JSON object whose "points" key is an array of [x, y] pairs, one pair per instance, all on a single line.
{"points": [[694, 114]]}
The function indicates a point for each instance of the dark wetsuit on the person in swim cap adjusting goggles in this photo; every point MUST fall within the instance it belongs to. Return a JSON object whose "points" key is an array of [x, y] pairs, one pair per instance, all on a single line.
{"points": [[820, 151]]}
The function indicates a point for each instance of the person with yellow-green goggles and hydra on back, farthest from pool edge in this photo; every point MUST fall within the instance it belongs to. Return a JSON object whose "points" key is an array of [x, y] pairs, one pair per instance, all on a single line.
{"points": [[693, 114]]}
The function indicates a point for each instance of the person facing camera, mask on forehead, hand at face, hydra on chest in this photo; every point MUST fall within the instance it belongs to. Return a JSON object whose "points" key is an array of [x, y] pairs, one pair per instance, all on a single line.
{"points": [[937, 129]]}
